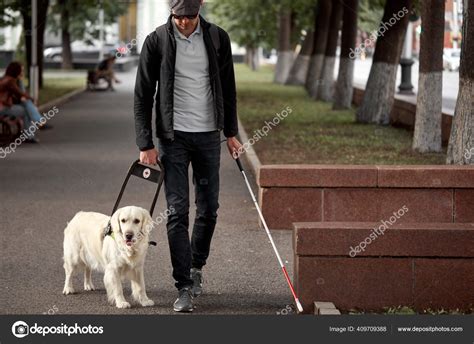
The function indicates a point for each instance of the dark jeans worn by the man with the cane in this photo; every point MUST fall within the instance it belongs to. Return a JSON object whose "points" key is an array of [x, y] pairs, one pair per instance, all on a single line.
{"points": [[202, 150]]}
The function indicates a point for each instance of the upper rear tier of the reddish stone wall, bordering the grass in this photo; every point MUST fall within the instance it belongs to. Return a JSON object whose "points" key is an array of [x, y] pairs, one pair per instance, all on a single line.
{"points": [[309, 193]]}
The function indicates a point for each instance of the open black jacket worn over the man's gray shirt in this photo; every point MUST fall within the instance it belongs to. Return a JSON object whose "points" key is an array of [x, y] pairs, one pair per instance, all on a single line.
{"points": [[157, 66]]}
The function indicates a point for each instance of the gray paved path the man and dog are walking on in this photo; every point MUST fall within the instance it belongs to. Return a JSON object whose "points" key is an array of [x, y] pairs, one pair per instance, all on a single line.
{"points": [[80, 165]]}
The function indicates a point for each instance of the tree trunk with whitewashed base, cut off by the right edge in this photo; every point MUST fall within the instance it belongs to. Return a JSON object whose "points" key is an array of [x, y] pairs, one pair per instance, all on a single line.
{"points": [[461, 142]]}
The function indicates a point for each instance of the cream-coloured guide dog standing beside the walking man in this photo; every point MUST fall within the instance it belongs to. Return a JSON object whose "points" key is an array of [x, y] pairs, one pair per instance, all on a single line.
{"points": [[119, 255]]}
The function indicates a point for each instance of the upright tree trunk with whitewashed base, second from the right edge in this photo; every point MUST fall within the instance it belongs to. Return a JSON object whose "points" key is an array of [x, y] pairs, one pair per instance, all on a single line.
{"points": [[427, 135]]}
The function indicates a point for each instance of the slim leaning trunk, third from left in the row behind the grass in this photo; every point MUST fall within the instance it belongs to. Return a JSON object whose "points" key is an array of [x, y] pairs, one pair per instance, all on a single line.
{"points": [[321, 26]]}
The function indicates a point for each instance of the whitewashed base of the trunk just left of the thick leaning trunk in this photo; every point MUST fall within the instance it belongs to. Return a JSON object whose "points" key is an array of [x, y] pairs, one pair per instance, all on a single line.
{"points": [[344, 88]]}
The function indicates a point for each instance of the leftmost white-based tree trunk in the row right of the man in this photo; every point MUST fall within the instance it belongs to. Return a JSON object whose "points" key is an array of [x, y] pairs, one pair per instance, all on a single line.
{"points": [[285, 53]]}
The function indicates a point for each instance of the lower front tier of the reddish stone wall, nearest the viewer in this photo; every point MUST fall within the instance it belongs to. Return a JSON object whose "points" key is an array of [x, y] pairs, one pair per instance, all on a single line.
{"points": [[421, 265]]}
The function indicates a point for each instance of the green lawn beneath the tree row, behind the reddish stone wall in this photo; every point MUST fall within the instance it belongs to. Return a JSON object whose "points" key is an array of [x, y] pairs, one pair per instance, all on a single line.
{"points": [[313, 133]]}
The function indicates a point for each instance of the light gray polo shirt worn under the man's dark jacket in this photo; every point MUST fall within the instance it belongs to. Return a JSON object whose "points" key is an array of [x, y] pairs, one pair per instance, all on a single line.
{"points": [[193, 99]]}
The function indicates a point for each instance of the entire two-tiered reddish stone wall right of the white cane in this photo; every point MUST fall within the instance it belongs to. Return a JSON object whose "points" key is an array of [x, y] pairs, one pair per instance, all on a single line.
{"points": [[425, 260]]}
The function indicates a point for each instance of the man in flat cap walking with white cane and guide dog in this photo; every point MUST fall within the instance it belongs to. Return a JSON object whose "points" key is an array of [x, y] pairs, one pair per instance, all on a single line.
{"points": [[191, 60]]}
